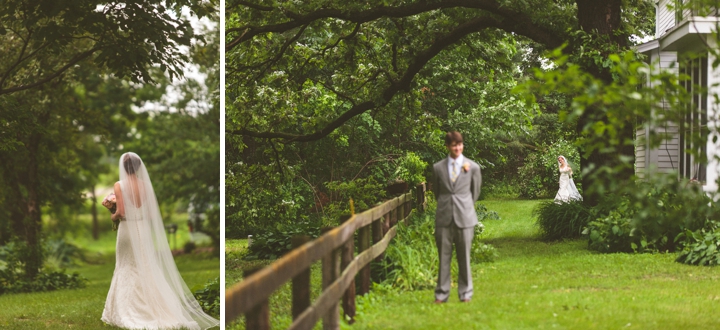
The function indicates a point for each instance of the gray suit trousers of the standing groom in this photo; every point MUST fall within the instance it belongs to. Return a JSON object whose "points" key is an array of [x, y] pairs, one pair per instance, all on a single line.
{"points": [[445, 238]]}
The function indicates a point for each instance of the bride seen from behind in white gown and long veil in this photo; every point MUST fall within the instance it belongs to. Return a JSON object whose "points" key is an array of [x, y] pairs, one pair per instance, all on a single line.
{"points": [[147, 291]]}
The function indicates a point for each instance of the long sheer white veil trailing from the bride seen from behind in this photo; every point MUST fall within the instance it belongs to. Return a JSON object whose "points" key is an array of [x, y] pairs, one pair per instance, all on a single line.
{"points": [[161, 283]]}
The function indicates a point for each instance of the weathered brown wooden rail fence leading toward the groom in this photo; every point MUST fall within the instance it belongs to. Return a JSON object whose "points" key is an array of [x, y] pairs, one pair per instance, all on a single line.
{"points": [[340, 267]]}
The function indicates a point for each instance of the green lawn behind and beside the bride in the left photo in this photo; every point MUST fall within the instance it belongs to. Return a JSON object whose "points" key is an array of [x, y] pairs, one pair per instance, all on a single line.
{"points": [[82, 308]]}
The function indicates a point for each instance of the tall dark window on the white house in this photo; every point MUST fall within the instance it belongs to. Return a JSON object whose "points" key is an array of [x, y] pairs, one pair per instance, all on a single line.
{"points": [[694, 131]]}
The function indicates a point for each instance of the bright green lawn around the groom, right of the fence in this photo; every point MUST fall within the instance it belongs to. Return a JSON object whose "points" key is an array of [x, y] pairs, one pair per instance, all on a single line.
{"points": [[537, 285]]}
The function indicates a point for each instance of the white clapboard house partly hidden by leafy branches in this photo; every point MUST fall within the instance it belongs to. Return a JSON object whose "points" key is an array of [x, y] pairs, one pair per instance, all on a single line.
{"points": [[678, 33]]}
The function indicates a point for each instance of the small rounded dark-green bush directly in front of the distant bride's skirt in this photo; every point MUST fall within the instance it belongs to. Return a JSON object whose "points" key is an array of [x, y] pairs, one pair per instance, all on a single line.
{"points": [[561, 220]]}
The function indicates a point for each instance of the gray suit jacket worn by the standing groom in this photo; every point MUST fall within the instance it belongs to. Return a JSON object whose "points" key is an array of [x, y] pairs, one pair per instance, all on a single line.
{"points": [[456, 200]]}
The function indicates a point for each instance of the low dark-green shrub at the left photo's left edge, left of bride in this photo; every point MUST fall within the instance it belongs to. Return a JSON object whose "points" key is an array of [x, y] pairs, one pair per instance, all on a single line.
{"points": [[13, 279]]}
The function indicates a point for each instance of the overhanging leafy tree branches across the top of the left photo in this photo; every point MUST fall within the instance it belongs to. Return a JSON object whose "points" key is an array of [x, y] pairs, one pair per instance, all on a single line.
{"points": [[52, 37]]}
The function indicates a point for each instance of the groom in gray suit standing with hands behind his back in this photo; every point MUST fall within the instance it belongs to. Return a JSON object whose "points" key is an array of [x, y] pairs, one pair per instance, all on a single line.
{"points": [[456, 185]]}
